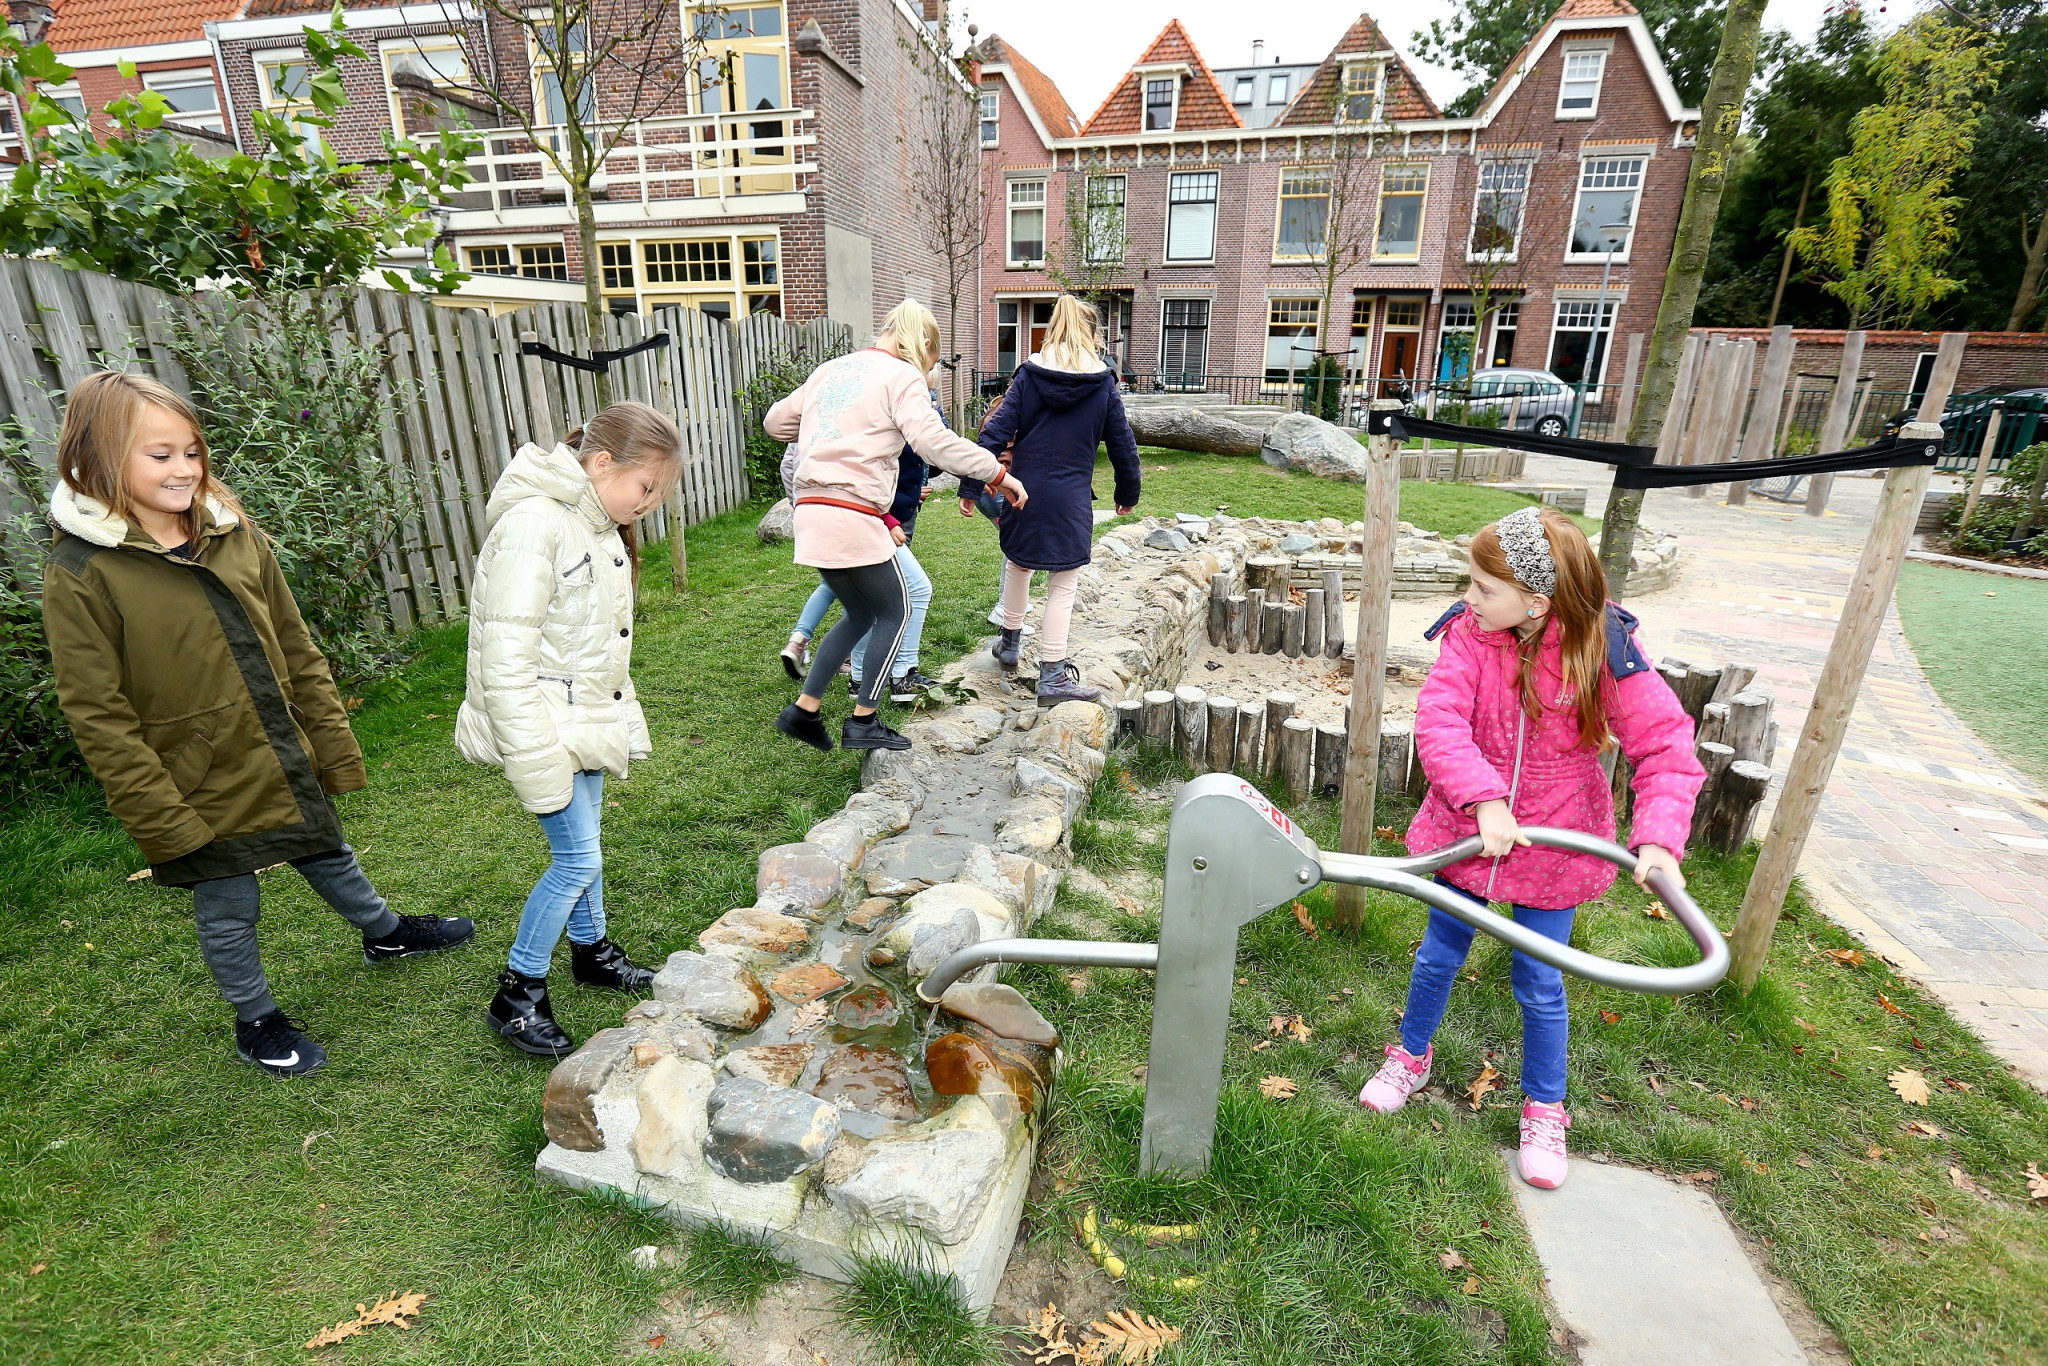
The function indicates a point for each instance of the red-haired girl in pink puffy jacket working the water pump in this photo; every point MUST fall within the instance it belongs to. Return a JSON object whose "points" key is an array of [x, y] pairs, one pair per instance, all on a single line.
{"points": [[1537, 677]]}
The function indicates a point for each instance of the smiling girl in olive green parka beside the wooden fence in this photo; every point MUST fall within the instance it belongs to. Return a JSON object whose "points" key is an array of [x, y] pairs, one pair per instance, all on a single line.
{"points": [[198, 695]]}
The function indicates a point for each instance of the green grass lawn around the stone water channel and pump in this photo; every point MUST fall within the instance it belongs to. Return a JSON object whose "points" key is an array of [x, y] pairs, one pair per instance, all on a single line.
{"points": [[167, 1203]]}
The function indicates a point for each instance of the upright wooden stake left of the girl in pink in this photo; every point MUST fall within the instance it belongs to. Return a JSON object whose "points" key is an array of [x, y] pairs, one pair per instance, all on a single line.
{"points": [[1369, 671]]}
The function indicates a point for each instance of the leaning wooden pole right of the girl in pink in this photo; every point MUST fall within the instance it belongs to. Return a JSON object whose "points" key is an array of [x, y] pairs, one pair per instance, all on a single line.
{"points": [[1842, 677]]}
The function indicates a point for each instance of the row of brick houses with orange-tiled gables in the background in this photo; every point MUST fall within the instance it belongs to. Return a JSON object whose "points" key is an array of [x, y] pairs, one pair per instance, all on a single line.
{"points": [[1224, 226]]}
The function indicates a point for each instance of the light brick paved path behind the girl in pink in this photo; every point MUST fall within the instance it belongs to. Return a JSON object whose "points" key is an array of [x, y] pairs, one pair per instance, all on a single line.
{"points": [[1928, 847]]}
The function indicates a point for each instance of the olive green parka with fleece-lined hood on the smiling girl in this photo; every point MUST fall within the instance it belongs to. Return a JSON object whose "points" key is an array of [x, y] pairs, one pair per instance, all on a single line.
{"points": [[196, 693]]}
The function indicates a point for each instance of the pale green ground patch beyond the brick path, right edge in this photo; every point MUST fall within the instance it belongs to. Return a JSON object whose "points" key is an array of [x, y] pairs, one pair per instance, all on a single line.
{"points": [[1951, 620]]}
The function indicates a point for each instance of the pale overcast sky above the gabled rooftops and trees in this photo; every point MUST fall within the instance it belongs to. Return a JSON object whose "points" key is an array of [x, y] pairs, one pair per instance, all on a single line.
{"points": [[1086, 46]]}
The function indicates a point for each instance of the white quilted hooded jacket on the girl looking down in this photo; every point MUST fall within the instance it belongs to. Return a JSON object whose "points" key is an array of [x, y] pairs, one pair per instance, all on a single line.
{"points": [[550, 636]]}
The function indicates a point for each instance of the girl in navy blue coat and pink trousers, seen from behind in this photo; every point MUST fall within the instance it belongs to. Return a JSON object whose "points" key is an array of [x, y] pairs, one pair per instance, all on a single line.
{"points": [[1060, 409]]}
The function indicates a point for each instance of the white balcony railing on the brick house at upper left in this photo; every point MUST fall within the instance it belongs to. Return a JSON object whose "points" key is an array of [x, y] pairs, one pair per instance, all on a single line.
{"points": [[679, 157]]}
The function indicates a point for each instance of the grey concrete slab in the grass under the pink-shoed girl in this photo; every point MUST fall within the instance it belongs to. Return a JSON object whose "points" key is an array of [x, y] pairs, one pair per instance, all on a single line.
{"points": [[1648, 1273]]}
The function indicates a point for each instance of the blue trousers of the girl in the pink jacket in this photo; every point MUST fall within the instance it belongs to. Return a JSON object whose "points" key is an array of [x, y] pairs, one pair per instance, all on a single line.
{"points": [[1539, 990]]}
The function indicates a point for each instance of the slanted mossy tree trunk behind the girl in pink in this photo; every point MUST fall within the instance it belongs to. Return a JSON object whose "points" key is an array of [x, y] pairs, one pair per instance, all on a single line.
{"points": [[1719, 124]]}
